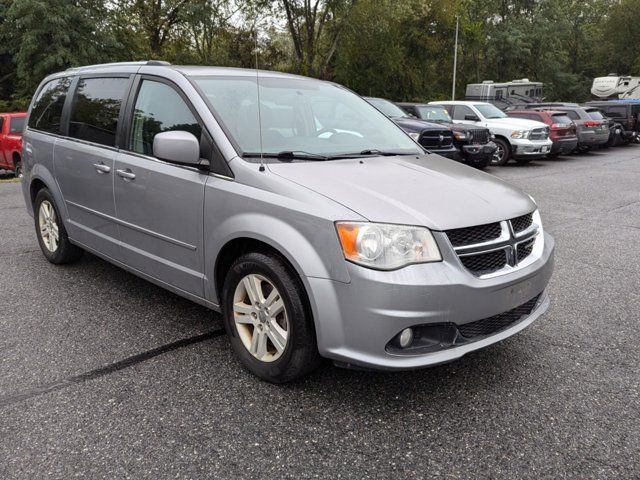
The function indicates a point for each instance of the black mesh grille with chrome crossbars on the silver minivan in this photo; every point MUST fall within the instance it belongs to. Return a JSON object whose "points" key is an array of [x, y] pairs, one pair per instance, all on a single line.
{"points": [[487, 249]]}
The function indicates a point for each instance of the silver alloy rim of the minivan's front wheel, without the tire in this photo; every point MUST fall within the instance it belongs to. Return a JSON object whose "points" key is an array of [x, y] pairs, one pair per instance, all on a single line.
{"points": [[260, 317]]}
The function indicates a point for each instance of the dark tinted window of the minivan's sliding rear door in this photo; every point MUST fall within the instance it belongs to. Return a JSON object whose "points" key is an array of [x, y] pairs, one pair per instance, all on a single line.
{"points": [[96, 107]]}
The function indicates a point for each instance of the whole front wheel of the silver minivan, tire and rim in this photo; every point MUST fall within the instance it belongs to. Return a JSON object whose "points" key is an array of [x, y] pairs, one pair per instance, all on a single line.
{"points": [[267, 318]]}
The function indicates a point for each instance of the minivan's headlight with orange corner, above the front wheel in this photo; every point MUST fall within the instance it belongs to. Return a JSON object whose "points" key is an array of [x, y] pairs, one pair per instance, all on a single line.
{"points": [[385, 246]]}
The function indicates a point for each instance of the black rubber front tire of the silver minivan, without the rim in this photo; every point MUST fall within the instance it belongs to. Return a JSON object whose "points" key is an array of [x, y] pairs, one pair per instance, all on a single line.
{"points": [[300, 355]]}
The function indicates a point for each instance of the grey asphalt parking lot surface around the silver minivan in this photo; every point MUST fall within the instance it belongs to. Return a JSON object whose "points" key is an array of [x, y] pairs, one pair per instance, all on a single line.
{"points": [[103, 375]]}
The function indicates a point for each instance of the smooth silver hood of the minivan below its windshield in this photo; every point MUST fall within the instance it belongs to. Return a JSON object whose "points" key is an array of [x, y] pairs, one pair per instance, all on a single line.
{"points": [[427, 190]]}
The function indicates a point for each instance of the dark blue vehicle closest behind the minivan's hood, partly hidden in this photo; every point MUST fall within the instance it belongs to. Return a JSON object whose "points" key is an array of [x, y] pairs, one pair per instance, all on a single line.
{"points": [[435, 138]]}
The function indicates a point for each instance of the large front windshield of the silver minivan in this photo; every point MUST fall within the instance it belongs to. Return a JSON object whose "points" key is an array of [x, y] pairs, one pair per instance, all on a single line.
{"points": [[300, 115]]}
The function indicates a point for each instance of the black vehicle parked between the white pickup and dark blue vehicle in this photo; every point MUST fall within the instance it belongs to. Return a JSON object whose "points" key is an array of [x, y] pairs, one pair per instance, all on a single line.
{"points": [[475, 144]]}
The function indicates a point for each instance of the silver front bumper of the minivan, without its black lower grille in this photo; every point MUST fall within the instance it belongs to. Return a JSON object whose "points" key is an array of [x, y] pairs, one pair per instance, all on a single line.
{"points": [[356, 321]]}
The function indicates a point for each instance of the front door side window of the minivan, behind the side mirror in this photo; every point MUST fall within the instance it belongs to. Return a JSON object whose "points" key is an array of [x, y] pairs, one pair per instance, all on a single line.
{"points": [[159, 108]]}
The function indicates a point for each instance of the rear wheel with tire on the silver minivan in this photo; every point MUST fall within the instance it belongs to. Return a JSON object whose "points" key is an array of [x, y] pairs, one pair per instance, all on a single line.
{"points": [[52, 236]]}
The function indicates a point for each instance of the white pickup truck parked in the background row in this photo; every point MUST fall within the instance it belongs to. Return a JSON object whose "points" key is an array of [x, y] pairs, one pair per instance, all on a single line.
{"points": [[517, 138]]}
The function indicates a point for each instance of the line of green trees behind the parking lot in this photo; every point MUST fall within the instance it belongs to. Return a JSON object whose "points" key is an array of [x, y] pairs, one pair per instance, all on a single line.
{"points": [[399, 49]]}
